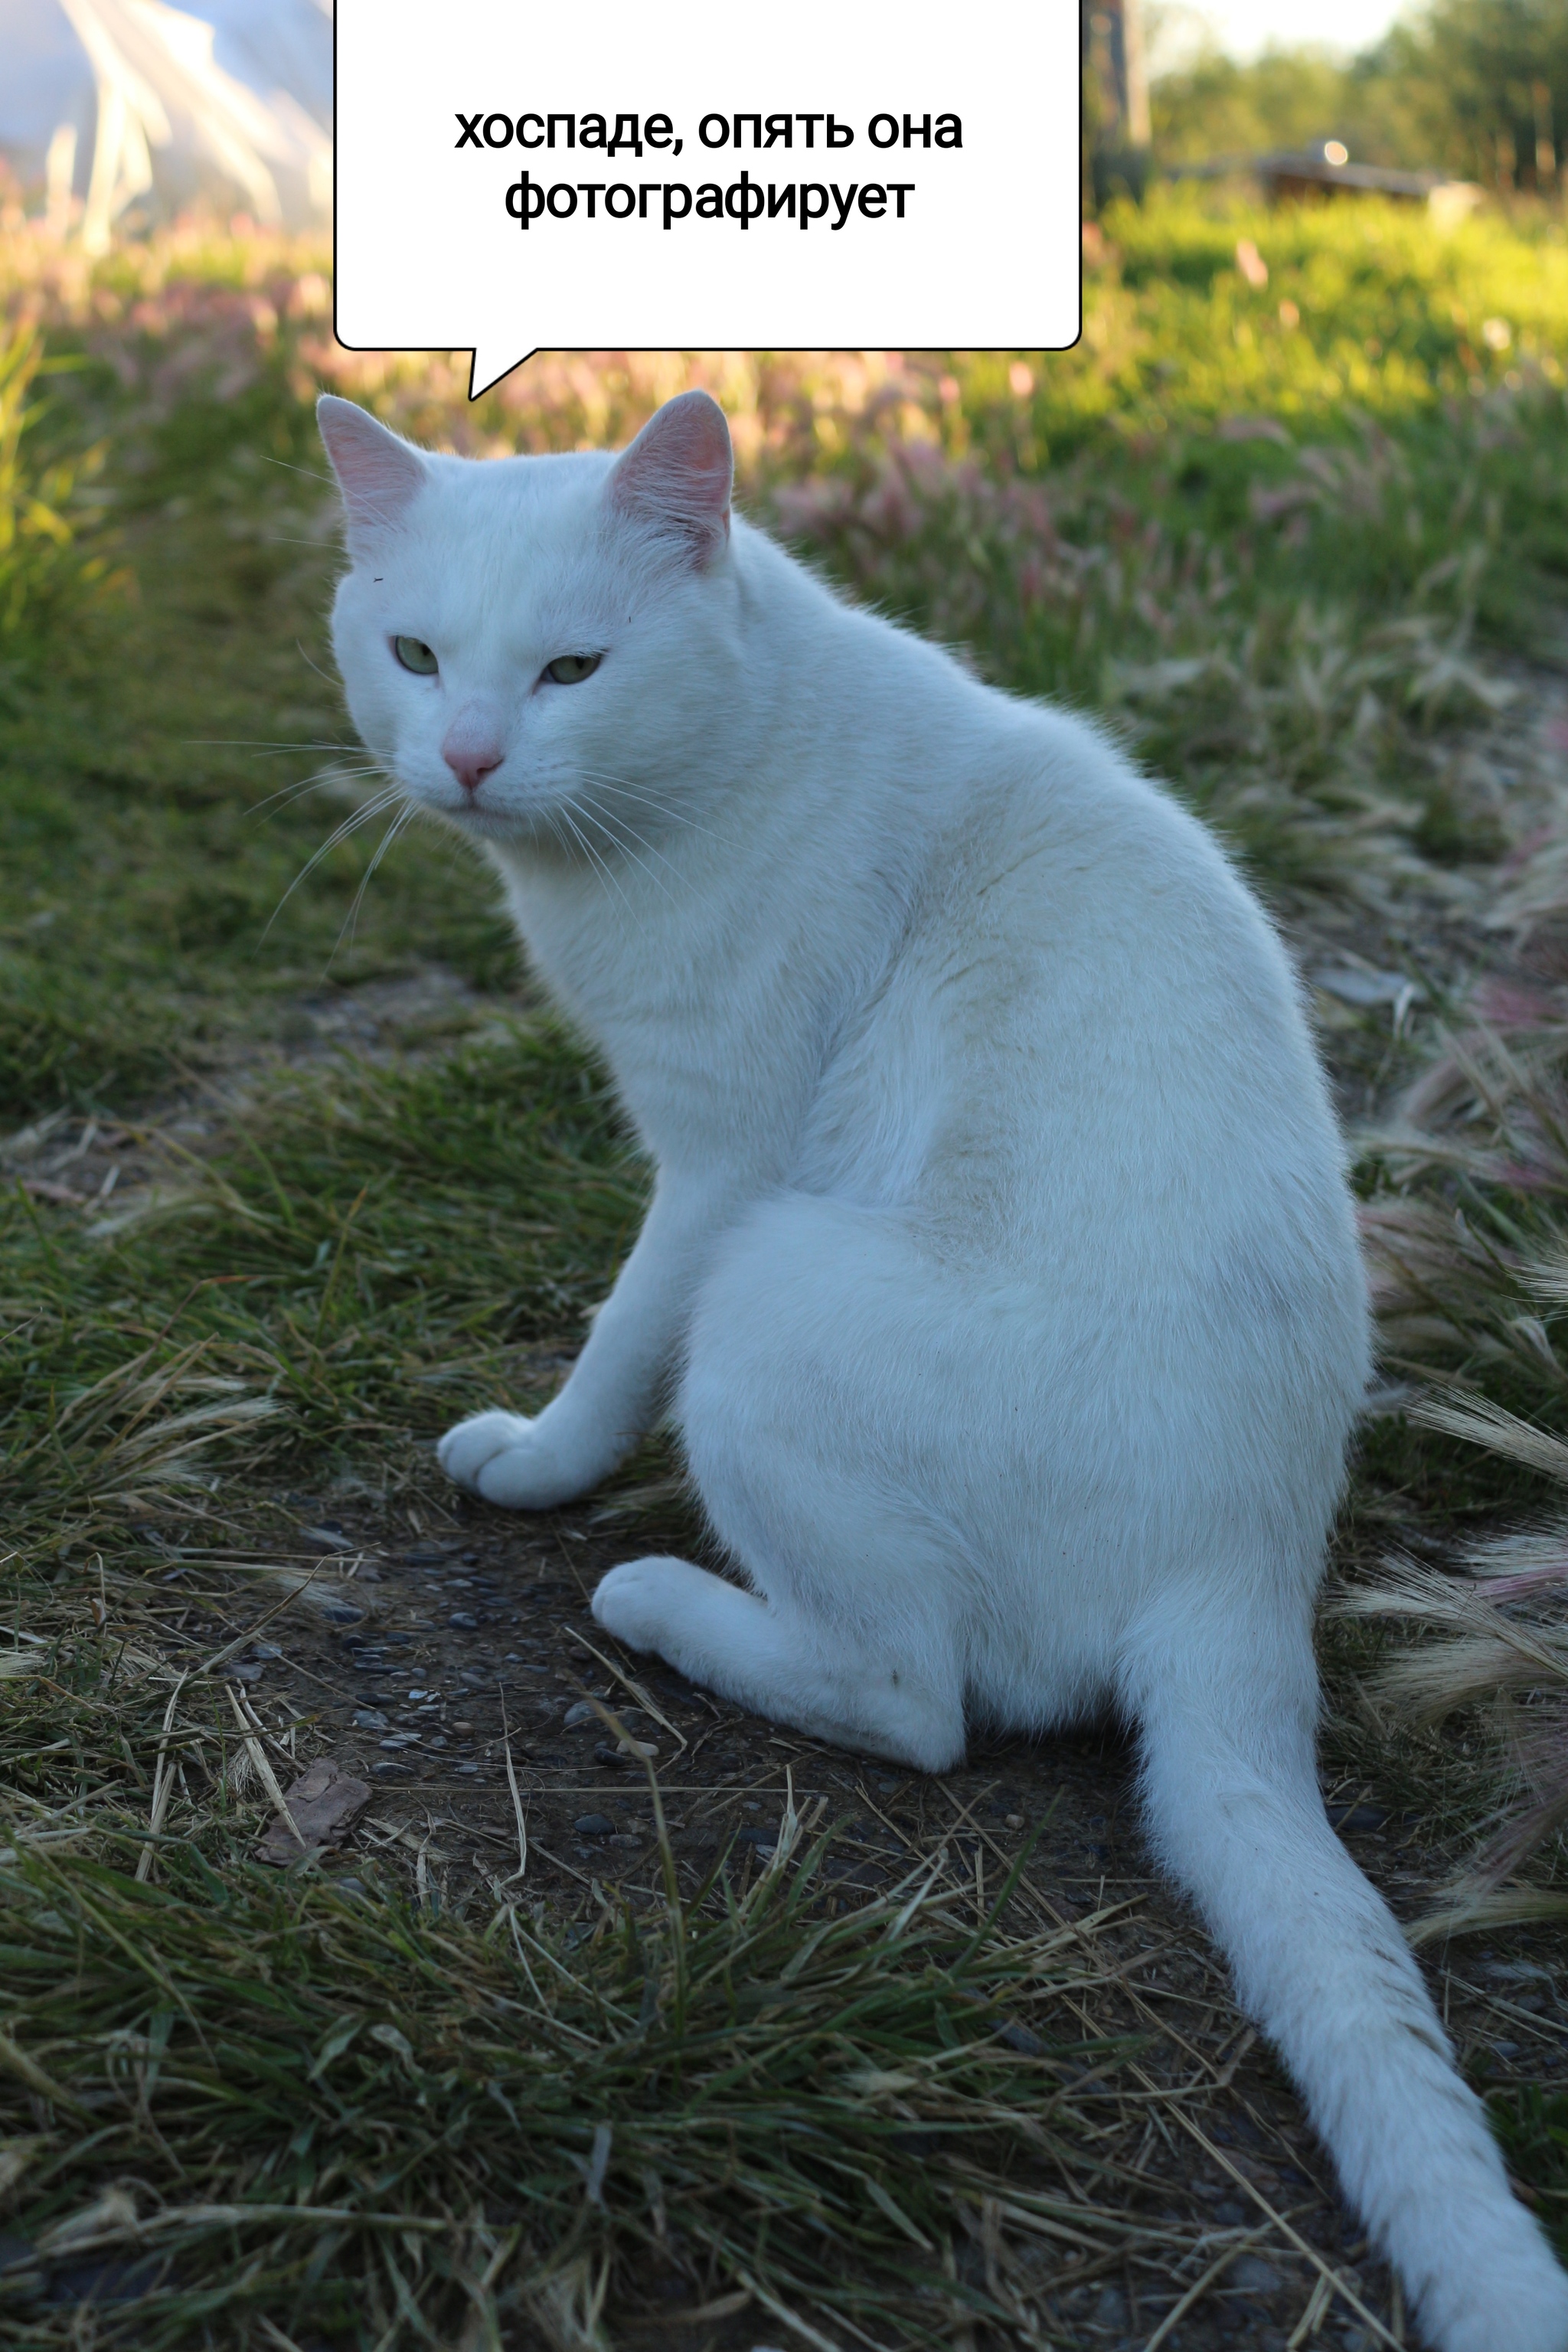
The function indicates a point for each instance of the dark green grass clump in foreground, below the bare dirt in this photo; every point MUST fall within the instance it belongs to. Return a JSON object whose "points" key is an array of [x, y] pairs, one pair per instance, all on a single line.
{"points": [[349, 2116]]}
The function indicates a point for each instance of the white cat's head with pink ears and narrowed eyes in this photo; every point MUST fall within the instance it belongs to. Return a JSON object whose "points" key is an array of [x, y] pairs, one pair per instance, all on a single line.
{"points": [[540, 643]]}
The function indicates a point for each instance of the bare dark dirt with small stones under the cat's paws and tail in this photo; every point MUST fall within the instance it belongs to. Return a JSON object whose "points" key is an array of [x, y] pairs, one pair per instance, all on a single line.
{"points": [[431, 1641]]}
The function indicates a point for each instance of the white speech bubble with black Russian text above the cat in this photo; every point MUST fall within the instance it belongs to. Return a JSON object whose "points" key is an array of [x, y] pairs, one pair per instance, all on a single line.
{"points": [[706, 178]]}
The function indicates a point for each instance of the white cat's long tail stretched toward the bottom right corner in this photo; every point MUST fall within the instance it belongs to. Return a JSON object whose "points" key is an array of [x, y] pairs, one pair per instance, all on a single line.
{"points": [[1320, 1963]]}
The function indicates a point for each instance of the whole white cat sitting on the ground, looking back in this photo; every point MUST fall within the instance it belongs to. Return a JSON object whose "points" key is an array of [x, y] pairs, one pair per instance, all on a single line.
{"points": [[1000, 1262]]}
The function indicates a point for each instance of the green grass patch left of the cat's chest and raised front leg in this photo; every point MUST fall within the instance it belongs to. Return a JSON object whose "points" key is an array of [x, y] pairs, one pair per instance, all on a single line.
{"points": [[368, 1257]]}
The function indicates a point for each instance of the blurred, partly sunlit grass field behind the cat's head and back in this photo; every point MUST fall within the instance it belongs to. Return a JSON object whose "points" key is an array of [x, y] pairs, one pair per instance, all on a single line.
{"points": [[1278, 519]]}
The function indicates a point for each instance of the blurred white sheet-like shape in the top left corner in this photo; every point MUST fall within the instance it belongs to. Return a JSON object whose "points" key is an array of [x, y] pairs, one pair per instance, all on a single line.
{"points": [[114, 102]]}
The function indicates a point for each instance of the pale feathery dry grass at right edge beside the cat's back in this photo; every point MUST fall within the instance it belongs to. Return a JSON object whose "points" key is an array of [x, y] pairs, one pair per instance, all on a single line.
{"points": [[1468, 1236]]}
